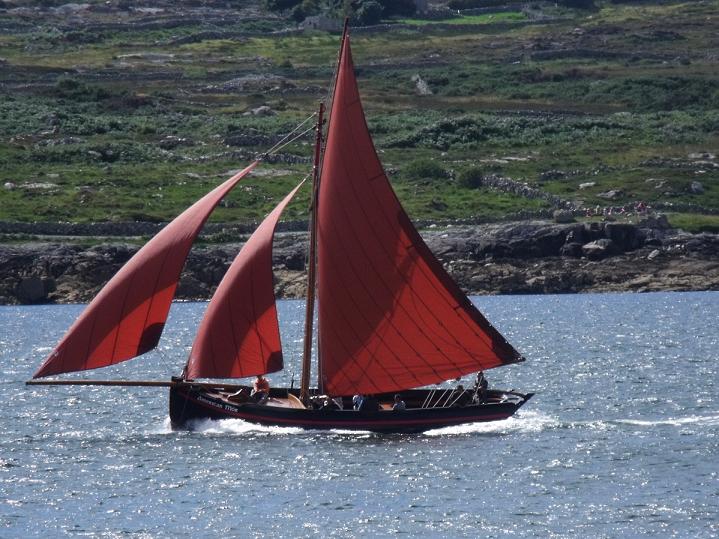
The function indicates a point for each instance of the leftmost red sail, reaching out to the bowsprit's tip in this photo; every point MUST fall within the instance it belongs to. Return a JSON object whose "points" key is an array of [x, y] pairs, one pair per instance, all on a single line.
{"points": [[127, 317]]}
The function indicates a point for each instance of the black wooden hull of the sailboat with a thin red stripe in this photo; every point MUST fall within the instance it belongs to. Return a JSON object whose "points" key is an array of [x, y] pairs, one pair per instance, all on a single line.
{"points": [[188, 404]]}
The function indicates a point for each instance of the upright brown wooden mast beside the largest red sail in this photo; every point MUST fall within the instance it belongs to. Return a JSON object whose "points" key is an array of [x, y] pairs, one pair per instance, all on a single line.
{"points": [[311, 267]]}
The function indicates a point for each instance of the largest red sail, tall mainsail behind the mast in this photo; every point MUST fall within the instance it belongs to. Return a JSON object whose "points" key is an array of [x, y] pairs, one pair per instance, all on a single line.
{"points": [[390, 317]]}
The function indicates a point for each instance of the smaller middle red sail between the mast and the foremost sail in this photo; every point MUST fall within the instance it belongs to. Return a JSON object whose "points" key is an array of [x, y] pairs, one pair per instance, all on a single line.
{"points": [[239, 335]]}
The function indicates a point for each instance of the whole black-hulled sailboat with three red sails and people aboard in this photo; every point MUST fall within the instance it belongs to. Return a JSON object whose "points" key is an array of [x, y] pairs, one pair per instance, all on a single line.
{"points": [[391, 323]]}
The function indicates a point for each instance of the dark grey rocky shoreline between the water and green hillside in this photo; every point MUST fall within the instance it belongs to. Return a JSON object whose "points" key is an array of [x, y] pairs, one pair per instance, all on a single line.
{"points": [[529, 257]]}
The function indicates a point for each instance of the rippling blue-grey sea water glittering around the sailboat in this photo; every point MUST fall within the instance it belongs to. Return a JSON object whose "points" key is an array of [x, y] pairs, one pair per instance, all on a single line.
{"points": [[621, 439]]}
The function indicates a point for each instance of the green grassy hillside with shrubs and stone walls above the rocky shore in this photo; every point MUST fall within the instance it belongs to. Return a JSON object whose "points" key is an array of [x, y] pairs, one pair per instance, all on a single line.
{"points": [[126, 111]]}
